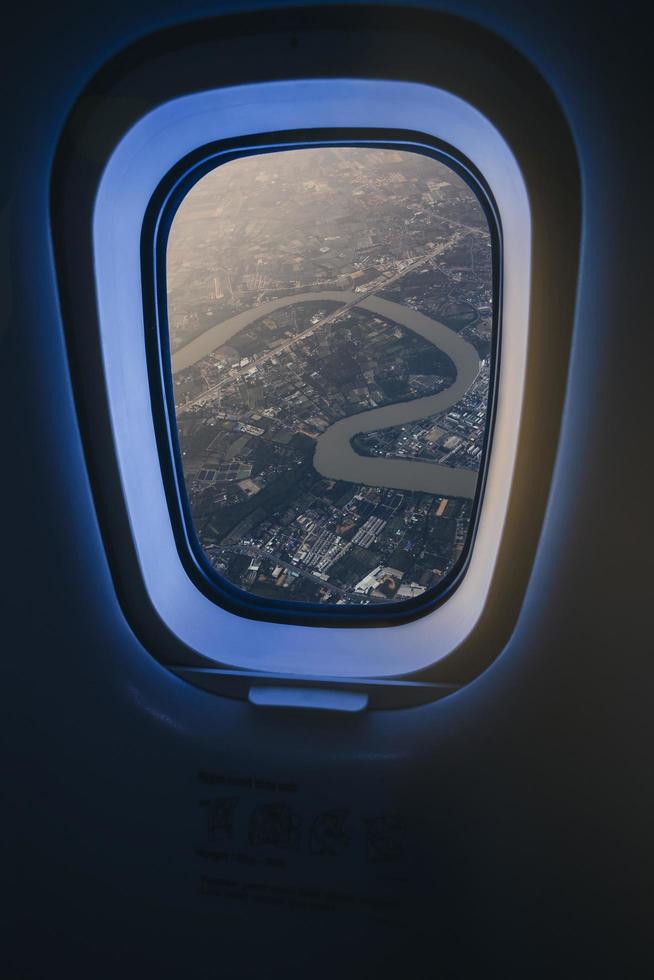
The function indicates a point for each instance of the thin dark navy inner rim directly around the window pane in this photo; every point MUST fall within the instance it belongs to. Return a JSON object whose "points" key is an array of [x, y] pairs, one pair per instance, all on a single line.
{"points": [[159, 217]]}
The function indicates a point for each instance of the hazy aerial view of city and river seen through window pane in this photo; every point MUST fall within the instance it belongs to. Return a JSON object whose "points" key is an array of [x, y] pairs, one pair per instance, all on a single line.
{"points": [[330, 319]]}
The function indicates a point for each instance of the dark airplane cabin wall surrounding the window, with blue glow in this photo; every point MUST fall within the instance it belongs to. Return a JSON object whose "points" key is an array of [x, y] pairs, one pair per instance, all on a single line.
{"points": [[526, 797]]}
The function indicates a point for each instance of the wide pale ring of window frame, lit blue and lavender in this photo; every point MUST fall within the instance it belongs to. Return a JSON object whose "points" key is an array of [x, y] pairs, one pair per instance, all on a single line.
{"points": [[144, 155]]}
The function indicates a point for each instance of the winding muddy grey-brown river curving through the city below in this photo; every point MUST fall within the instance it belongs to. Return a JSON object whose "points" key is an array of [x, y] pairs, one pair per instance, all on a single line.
{"points": [[334, 456]]}
